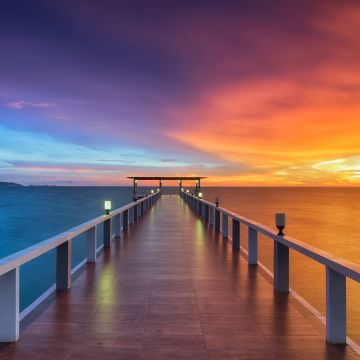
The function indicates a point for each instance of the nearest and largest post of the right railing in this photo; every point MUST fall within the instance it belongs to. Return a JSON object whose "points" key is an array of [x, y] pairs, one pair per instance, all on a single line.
{"points": [[335, 307]]}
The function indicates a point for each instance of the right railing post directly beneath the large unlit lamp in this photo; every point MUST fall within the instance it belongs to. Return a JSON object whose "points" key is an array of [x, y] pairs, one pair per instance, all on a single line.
{"points": [[281, 267]]}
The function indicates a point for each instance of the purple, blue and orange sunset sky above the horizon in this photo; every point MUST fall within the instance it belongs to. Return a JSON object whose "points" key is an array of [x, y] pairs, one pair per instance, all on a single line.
{"points": [[244, 92]]}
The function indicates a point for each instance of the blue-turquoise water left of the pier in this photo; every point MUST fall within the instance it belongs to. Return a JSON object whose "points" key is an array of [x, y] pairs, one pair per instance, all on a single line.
{"points": [[29, 215]]}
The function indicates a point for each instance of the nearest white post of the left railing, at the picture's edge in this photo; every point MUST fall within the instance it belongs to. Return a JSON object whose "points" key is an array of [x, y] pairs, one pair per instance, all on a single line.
{"points": [[9, 306]]}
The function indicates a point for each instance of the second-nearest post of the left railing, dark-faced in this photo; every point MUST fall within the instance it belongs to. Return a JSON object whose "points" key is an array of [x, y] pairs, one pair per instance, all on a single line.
{"points": [[63, 266]]}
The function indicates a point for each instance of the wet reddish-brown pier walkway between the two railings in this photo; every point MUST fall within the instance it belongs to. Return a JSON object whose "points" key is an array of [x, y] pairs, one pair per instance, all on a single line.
{"points": [[171, 288]]}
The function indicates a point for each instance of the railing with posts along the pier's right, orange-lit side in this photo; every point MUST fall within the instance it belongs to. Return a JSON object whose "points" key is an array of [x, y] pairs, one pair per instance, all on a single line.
{"points": [[337, 269]]}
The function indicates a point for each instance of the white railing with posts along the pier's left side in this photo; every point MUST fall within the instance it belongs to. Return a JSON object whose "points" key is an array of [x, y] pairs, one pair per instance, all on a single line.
{"points": [[10, 265]]}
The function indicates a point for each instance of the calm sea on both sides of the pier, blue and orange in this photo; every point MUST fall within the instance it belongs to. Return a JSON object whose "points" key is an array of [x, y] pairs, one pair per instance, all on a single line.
{"points": [[328, 218]]}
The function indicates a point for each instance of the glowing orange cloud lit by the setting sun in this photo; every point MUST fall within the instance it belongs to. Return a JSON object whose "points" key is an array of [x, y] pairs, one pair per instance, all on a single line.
{"points": [[279, 129]]}
